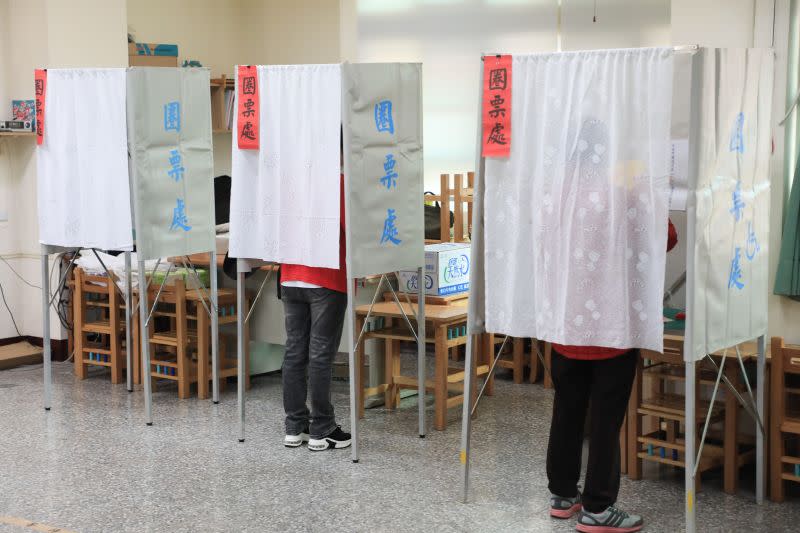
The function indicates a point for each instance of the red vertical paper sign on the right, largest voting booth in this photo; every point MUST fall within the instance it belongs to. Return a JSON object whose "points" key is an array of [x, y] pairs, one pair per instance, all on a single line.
{"points": [[496, 104]]}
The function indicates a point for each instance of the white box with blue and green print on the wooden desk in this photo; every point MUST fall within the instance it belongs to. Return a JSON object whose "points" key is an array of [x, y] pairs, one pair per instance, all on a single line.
{"points": [[446, 270]]}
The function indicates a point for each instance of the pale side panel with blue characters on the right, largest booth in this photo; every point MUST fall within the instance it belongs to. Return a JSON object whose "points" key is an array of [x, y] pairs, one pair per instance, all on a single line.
{"points": [[731, 199]]}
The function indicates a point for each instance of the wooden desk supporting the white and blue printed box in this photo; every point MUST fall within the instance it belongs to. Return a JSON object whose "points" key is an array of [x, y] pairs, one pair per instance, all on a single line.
{"points": [[439, 320]]}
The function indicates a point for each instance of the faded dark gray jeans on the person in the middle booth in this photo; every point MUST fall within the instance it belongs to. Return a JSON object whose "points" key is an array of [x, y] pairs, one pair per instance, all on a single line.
{"points": [[314, 320]]}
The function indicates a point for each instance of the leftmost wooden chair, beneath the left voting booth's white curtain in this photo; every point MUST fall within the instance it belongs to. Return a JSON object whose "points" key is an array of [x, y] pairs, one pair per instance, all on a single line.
{"points": [[98, 319]]}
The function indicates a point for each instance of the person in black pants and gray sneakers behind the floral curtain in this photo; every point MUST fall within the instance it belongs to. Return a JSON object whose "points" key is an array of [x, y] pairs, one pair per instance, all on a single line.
{"points": [[605, 377]]}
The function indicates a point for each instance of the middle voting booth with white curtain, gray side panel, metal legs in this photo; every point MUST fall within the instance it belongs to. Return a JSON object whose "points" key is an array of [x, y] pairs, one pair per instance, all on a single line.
{"points": [[292, 121]]}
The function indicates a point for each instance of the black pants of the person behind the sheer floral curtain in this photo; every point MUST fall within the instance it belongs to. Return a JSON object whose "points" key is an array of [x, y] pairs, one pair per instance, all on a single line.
{"points": [[607, 386]]}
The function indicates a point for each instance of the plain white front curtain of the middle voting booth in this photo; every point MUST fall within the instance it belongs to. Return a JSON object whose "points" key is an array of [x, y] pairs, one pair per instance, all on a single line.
{"points": [[285, 196]]}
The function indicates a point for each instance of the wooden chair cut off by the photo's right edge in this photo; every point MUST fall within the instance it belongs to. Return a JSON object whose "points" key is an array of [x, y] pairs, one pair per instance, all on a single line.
{"points": [[784, 421]]}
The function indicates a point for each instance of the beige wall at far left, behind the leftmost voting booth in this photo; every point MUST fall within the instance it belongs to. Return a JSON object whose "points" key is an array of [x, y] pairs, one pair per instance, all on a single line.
{"points": [[63, 42]]}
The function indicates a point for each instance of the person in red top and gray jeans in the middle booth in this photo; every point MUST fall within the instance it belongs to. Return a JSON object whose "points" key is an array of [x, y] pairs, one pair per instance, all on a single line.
{"points": [[314, 302]]}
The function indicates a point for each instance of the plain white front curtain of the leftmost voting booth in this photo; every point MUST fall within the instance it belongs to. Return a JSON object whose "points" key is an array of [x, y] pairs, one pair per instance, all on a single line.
{"points": [[82, 166]]}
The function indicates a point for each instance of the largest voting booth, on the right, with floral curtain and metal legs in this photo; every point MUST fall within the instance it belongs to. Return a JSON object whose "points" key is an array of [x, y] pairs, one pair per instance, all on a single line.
{"points": [[574, 154]]}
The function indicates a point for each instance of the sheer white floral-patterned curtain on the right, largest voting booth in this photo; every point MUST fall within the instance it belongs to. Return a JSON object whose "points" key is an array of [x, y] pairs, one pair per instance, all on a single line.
{"points": [[576, 218]]}
